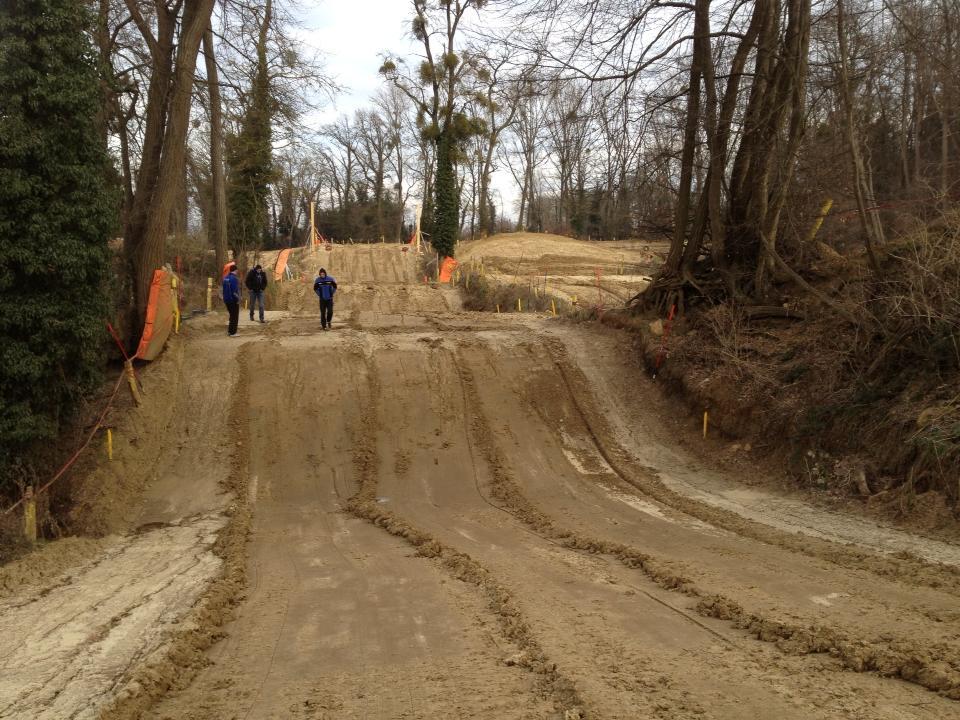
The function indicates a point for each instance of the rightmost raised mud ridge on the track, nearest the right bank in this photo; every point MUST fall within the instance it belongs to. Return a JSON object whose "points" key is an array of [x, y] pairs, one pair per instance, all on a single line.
{"points": [[911, 570]]}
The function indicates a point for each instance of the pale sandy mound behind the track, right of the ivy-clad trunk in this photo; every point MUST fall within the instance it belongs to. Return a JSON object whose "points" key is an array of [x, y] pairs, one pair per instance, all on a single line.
{"points": [[588, 273]]}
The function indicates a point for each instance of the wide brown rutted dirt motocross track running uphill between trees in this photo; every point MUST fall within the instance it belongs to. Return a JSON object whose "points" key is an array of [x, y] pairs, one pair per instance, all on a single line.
{"points": [[429, 513]]}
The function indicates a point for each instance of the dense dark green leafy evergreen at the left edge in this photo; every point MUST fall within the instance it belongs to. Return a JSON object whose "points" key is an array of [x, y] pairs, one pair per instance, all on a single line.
{"points": [[57, 210]]}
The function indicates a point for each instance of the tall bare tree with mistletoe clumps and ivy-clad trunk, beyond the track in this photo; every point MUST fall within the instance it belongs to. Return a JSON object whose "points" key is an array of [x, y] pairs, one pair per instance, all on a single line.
{"points": [[440, 94]]}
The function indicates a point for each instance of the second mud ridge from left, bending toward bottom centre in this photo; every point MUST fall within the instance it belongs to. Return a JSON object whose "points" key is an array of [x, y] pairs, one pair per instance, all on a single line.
{"points": [[501, 602]]}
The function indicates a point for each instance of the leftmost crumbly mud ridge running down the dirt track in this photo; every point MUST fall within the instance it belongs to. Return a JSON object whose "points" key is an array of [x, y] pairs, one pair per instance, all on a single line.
{"points": [[183, 655]]}
